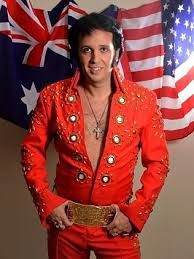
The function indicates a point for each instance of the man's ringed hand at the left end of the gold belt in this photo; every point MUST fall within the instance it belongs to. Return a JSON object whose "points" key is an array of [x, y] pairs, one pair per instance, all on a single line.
{"points": [[59, 218]]}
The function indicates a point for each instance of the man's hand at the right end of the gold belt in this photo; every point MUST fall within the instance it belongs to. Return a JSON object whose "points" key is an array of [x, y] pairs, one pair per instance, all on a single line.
{"points": [[120, 224]]}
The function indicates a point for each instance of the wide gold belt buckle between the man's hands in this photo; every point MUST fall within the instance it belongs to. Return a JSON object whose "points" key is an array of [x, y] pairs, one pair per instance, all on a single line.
{"points": [[90, 215]]}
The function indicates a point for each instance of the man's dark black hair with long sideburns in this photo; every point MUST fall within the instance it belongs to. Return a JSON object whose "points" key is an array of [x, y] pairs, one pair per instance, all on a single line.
{"points": [[94, 21]]}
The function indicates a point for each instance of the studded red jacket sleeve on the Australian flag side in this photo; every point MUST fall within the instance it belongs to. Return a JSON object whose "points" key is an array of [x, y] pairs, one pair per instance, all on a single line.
{"points": [[33, 160]]}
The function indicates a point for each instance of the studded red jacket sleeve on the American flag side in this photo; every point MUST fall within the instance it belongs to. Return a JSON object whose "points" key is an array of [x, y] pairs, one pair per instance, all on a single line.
{"points": [[155, 162]]}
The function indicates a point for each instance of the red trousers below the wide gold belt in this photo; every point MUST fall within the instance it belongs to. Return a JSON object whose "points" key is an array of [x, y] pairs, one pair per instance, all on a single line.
{"points": [[75, 242]]}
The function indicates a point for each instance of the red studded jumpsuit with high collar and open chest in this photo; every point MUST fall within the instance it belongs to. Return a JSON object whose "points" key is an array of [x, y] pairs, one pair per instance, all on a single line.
{"points": [[134, 123]]}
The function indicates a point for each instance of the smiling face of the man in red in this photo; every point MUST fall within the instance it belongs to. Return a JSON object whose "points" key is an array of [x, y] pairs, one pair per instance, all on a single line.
{"points": [[96, 54]]}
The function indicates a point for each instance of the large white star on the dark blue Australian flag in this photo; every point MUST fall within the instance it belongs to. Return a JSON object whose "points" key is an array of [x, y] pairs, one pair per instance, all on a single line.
{"points": [[30, 98]]}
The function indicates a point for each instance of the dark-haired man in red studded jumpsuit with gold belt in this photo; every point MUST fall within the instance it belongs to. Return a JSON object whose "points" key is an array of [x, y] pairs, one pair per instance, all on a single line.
{"points": [[98, 122]]}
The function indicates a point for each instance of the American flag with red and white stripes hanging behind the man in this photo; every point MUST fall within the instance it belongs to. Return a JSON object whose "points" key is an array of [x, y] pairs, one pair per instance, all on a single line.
{"points": [[159, 40]]}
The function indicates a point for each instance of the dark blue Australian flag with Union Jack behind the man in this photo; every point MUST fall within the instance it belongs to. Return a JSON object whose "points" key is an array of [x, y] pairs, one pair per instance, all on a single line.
{"points": [[33, 53]]}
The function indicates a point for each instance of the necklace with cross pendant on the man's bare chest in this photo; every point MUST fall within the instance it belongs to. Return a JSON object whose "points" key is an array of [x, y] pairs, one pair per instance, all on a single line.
{"points": [[97, 130]]}
